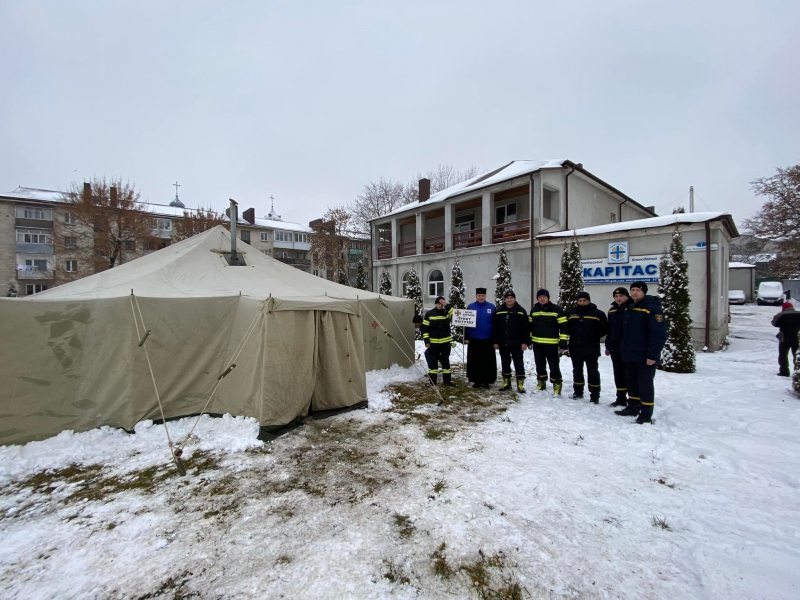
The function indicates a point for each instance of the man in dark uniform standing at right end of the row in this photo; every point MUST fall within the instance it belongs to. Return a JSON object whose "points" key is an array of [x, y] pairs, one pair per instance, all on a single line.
{"points": [[643, 337]]}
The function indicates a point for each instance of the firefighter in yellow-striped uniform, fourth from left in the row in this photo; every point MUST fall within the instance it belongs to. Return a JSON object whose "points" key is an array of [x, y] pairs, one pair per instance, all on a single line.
{"points": [[549, 339]]}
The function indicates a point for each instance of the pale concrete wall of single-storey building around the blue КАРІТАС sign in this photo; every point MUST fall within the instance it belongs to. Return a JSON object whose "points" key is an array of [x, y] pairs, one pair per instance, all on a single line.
{"points": [[656, 241]]}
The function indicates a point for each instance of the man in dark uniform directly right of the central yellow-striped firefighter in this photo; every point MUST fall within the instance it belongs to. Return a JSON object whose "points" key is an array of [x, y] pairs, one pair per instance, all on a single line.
{"points": [[586, 325]]}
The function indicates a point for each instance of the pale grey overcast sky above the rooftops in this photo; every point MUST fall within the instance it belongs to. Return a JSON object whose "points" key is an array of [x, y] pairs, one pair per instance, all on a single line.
{"points": [[309, 101]]}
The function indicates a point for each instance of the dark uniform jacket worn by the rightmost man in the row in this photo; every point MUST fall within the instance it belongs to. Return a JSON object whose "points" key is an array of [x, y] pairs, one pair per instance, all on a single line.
{"points": [[644, 331]]}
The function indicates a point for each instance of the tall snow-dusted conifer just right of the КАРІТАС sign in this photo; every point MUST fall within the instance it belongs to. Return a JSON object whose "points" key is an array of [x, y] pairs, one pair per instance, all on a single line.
{"points": [[678, 354]]}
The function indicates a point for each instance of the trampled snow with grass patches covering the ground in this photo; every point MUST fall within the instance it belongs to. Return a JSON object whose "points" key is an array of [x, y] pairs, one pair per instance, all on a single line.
{"points": [[556, 496]]}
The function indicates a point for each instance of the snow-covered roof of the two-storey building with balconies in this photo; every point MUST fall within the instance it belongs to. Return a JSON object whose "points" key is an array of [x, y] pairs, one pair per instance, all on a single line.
{"points": [[512, 170]]}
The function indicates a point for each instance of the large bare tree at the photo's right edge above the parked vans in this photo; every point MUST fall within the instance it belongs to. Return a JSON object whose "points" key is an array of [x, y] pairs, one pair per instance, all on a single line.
{"points": [[778, 220]]}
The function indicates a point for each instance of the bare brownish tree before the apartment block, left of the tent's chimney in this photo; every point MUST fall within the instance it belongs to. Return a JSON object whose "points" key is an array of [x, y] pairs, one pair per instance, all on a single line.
{"points": [[104, 221]]}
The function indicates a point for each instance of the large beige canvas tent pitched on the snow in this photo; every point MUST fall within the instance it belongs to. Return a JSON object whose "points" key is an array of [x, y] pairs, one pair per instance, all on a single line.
{"points": [[71, 357]]}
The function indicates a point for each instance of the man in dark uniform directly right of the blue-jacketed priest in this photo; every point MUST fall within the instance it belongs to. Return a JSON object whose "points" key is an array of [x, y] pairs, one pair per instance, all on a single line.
{"points": [[510, 336]]}
